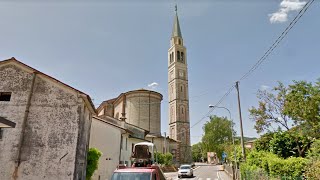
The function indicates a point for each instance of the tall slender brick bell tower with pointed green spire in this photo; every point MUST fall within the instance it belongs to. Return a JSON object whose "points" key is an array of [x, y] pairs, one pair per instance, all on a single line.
{"points": [[179, 123]]}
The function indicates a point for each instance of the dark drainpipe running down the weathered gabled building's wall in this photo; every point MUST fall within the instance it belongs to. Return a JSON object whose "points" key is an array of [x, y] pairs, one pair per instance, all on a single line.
{"points": [[23, 127]]}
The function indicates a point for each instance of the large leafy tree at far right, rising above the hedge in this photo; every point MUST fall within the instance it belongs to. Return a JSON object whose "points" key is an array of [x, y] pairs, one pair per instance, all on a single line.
{"points": [[294, 109]]}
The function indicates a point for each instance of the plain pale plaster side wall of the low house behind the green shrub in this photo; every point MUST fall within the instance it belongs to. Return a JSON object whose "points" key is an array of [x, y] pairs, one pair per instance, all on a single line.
{"points": [[107, 139]]}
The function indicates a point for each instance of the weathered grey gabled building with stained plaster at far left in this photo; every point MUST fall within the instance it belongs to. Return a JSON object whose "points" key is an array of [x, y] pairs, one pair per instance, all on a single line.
{"points": [[53, 120]]}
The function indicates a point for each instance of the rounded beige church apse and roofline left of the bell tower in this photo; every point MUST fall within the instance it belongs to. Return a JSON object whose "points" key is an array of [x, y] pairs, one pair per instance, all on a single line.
{"points": [[141, 108]]}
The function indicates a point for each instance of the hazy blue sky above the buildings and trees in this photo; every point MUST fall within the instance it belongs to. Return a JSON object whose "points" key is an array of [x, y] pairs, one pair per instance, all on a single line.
{"points": [[105, 48]]}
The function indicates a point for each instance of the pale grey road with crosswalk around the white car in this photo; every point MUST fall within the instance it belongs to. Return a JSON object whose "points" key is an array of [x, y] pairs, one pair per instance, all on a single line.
{"points": [[202, 172]]}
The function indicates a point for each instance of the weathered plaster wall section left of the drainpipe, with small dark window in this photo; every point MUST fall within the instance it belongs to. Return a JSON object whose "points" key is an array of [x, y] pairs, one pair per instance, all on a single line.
{"points": [[18, 82]]}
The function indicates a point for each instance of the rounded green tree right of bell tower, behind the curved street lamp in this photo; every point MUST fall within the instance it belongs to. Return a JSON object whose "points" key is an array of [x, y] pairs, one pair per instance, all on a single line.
{"points": [[217, 133]]}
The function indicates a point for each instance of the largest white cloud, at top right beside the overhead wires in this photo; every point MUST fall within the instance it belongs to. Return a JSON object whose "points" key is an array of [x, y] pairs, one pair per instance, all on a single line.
{"points": [[286, 6]]}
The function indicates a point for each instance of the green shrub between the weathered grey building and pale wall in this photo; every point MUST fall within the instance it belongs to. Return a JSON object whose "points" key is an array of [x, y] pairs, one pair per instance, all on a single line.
{"points": [[92, 161]]}
